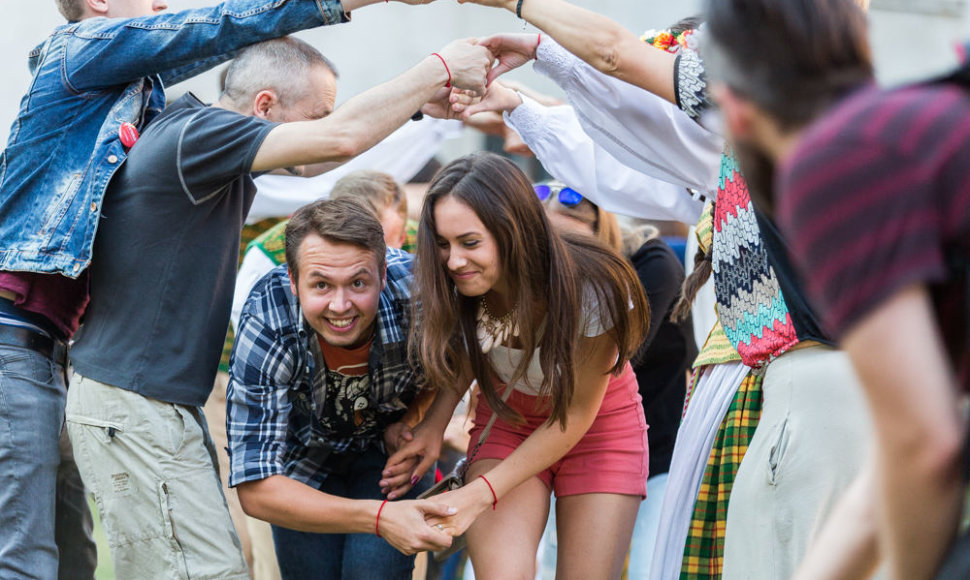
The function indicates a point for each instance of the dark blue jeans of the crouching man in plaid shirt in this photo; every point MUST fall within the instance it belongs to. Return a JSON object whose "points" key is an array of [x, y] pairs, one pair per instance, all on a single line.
{"points": [[308, 556]]}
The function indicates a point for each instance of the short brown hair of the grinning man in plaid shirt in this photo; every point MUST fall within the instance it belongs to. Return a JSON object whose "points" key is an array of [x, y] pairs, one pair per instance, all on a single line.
{"points": [[344, 220]]}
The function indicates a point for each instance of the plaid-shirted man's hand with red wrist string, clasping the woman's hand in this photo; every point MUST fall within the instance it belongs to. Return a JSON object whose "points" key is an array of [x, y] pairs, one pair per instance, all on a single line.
{"points": [[403, 525]]}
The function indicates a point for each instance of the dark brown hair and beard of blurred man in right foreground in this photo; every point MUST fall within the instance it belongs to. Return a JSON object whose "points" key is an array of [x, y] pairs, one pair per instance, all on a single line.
{"points": [[793, 59]]}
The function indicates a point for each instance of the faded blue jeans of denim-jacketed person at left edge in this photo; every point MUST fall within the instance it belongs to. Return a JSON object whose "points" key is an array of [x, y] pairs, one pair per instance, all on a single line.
{"points": [[43, 510]]}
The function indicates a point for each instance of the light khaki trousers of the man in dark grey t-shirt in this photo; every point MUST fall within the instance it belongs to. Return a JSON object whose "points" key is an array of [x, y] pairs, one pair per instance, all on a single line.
{"points": [[151, 468]]}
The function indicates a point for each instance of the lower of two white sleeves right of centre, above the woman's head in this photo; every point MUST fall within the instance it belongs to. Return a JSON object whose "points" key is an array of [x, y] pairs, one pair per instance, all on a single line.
{"points": [[571, 156]]}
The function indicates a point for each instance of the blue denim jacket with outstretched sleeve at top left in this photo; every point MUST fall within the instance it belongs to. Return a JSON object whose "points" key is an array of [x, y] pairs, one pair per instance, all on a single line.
{"points": [[89, 77]]}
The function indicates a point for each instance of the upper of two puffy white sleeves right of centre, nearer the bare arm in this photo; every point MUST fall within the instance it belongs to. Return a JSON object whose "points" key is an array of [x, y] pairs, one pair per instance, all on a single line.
{"points": [[637, 127]]}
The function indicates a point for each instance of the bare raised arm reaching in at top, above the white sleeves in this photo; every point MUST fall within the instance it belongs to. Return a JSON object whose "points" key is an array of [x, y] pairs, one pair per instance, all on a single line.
{"points": [[599, 41]]}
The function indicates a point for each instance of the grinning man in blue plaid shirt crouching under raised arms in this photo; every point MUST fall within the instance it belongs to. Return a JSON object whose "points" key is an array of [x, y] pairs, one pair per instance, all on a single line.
{"points": [[320, 390]]}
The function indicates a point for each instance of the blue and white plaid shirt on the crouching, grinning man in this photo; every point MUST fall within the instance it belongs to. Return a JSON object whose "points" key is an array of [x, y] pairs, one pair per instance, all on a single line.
{"points": [[278, 381]]}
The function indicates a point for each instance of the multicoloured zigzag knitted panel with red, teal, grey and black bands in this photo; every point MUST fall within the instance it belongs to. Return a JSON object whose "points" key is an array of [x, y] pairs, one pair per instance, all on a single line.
{"points": [[750, 304]]}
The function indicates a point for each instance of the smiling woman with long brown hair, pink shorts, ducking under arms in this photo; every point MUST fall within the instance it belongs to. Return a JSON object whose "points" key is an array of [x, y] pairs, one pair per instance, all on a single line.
{"points": [[546, 324]]}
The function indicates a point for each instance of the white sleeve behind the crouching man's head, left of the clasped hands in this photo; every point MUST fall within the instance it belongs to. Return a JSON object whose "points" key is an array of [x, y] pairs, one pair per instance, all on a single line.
{"points": [[401, 155]]}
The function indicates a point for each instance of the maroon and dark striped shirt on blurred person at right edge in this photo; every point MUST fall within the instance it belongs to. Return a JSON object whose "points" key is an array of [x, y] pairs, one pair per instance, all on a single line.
{"points": [[877, 197]]}
